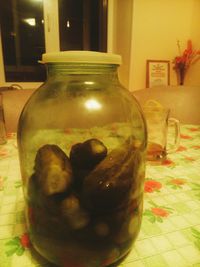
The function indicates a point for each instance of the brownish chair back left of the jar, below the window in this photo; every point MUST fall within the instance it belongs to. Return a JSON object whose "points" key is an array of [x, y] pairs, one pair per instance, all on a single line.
{"points": [[13, 102]]}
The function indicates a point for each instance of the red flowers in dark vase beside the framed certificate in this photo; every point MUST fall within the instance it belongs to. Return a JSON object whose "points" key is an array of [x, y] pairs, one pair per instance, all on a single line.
{"points": [[185, 59]]}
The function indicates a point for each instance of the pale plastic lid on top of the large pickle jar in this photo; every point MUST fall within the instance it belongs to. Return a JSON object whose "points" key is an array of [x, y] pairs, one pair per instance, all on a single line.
{"points": [[82, 57]]}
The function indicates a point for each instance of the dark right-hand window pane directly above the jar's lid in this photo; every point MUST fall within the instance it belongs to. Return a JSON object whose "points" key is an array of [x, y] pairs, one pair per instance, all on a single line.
{"points": [[83, 24]]}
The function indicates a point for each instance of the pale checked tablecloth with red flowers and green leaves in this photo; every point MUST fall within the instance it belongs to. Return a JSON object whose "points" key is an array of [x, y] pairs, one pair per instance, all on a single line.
{"points": [[170, 232]]}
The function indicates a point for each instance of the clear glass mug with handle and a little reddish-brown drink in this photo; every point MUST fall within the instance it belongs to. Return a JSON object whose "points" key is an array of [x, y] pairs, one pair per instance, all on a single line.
{"points": [[163, 131]]}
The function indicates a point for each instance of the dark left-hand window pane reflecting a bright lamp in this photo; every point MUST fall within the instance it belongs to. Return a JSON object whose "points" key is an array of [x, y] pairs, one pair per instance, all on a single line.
{"points": [[22, 29]]}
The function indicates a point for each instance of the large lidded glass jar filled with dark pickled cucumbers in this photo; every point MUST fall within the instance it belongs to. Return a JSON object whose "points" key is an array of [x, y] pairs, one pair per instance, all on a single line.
{"points": [[82, 141]]}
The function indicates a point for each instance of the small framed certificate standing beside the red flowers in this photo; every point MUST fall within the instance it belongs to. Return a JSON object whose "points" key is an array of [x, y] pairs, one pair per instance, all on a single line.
{"points": [[157, 73]]}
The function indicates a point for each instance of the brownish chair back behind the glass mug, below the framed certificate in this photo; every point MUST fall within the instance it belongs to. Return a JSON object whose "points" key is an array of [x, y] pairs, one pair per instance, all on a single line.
{"points": [[183, 101]]}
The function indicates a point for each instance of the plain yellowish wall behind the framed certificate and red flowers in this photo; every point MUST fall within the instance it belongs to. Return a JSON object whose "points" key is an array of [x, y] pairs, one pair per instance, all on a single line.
{"points": [[157, 25]]}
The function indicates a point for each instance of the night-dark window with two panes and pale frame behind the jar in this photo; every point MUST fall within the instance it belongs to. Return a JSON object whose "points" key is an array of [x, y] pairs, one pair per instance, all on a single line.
{"points": [[32, 27]]}
